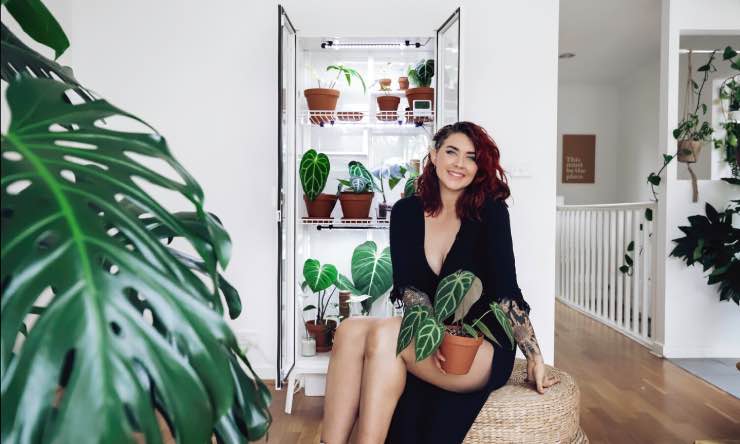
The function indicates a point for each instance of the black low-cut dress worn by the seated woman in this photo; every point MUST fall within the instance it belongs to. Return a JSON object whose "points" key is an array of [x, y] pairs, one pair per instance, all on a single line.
{"points": [[426, 413]]}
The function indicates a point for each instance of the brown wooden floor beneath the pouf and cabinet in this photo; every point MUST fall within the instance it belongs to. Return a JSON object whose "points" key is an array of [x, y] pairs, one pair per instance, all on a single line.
{"points": [[627, 394]]}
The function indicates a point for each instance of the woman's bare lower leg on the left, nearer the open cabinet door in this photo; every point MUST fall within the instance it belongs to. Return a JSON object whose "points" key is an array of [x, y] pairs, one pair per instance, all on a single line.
{"points": [[343, 379]]}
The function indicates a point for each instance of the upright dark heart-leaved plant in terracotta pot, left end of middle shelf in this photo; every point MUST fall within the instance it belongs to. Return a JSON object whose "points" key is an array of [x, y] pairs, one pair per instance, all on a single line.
{"points": [[314, 171]]}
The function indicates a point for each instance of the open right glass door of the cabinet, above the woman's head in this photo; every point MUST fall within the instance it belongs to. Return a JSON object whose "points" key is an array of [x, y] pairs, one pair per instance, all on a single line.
{"points": [[448, 71]]}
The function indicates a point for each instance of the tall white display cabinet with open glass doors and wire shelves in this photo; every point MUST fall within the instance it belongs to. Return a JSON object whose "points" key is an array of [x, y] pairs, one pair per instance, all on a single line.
{"points": [[374, 139]]}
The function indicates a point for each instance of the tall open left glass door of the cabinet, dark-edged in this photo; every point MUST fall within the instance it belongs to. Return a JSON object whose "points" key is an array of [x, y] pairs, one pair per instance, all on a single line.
{"points": [[286, 197]]}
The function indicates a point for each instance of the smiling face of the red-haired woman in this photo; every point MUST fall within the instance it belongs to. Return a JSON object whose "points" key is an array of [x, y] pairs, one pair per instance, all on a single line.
{"points": [[454, 162]]}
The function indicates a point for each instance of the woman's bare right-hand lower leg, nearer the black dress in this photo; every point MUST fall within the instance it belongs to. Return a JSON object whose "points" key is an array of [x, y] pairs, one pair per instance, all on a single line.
{"points": [[383, 381]]}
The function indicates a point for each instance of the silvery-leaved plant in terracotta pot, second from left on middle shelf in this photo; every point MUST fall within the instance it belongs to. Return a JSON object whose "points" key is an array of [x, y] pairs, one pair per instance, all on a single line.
{"points": [[356, 193]]}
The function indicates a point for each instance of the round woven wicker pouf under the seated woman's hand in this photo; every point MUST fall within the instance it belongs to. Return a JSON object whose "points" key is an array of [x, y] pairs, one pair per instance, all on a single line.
{"points": [[516, 413]]}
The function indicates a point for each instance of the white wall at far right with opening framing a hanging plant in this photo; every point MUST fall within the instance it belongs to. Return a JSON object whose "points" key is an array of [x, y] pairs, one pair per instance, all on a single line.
{"points": [[695, 323]]}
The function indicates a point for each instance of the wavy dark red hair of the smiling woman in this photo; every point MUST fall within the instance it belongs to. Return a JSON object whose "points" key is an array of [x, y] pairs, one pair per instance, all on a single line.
{"points": [[490, 179]]}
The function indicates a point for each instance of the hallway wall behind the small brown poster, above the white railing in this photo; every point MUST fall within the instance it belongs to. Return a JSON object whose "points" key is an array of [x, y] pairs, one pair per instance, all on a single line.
{"points": [[591, 109]]}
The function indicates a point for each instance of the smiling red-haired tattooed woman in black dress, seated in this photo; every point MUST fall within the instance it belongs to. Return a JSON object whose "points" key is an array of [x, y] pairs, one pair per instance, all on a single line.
{"points": [[456, 220]]}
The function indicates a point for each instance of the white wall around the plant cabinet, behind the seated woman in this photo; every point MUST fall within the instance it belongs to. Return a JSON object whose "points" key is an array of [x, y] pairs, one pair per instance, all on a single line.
{"points": [[206, 77]]}
